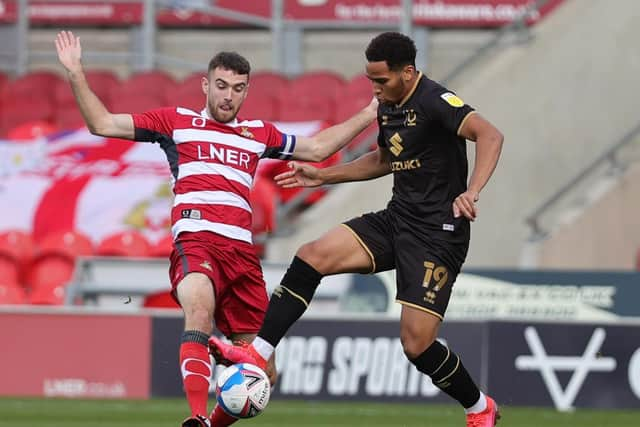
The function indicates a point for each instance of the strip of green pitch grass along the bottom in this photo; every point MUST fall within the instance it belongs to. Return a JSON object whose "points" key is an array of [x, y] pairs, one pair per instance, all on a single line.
{"points": [[170, 412]]}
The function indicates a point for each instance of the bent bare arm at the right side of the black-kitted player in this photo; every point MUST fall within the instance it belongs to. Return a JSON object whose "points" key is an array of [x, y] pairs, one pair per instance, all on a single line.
{"points": [[488, 141]]}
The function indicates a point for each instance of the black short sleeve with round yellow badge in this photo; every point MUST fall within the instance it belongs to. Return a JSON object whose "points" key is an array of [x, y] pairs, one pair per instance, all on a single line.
{"points": [[447, 108]]}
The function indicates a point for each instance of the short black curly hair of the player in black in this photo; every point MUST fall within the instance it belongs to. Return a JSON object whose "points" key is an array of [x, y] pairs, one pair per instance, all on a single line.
{"points": [[396, 49]]}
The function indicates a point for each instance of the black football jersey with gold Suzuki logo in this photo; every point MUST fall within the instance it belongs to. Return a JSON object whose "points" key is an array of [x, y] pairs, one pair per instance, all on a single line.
{"points": [[428, 158]]}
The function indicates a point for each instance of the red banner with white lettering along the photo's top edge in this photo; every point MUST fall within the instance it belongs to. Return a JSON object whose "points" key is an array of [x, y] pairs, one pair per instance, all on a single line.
{"points": [[440, 13]]}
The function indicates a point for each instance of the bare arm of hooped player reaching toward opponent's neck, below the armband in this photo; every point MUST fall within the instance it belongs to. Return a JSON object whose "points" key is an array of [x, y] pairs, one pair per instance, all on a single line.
{"points": [[322, 145]]}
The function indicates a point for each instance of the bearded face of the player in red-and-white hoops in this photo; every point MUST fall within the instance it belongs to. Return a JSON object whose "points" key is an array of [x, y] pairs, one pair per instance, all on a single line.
{"points": [[225, 92]]}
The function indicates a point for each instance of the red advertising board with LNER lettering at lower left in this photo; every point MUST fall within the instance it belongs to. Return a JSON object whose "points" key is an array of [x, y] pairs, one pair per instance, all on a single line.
{"points": [[75, 356]]}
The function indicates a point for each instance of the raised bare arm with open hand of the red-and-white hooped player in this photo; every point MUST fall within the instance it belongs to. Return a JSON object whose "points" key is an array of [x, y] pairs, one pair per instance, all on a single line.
{"points": [[98, 119]]}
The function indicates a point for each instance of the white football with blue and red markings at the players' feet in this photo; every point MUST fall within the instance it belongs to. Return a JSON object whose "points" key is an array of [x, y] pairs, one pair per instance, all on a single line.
{"points": [[243, 390]]}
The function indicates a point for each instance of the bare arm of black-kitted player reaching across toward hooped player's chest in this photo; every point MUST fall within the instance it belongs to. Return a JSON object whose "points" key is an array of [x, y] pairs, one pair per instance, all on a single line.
{"points": [[368, 166]]}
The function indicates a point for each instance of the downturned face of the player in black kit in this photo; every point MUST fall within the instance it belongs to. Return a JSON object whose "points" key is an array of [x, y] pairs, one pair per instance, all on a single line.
{"points": [[389, 86]]}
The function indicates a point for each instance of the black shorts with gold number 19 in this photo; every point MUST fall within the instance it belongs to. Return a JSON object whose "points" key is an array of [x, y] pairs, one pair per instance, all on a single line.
{"points": [[427, 262]]}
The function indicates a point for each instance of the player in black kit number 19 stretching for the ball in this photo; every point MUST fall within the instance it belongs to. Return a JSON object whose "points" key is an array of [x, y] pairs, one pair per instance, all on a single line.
{"points": [[423, 233]]}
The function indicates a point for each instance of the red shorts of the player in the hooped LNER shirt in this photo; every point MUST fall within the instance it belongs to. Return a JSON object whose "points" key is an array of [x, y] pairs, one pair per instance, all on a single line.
{"points": [[233, 268]]}
